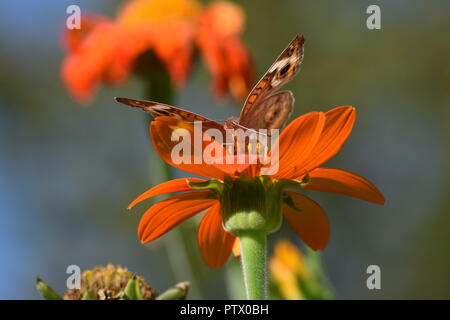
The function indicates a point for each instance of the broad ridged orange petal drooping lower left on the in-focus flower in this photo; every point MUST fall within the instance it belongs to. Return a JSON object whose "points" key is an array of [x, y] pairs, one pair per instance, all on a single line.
{"points": [[166, 214]]}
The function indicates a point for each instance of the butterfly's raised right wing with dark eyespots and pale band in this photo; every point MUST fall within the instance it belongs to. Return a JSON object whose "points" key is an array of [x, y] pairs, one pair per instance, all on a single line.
{"points": [[285, 67]]}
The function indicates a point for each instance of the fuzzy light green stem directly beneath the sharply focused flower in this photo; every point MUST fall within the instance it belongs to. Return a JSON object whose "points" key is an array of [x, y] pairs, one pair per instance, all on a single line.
{"points": [[254, 263]]}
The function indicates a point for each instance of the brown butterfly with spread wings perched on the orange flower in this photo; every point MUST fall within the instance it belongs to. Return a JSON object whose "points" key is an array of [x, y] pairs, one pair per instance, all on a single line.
{"points": [[264, 108]]}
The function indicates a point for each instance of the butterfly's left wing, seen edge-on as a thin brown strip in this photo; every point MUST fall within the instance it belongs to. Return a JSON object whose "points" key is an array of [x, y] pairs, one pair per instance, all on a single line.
{"points": [[157, 109]]}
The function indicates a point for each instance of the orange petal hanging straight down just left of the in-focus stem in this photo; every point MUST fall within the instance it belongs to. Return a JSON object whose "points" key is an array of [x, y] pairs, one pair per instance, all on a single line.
{"points": [[214, 242]]}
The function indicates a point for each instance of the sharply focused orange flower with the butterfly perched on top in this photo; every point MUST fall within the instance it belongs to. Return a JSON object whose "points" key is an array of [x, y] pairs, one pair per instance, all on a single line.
{"points": [[305, 144]]}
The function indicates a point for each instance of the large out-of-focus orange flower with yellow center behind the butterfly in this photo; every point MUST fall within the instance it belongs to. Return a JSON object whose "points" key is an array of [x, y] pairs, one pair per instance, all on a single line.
{"points": [[105, 51]]}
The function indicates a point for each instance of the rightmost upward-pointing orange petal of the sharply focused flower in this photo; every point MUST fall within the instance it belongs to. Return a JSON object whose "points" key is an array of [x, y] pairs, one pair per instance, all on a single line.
{"points": [[338, 125]]}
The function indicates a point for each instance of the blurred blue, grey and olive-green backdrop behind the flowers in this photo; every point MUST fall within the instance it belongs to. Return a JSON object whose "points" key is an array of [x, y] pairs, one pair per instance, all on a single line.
{"points": [[67, 172]]}
